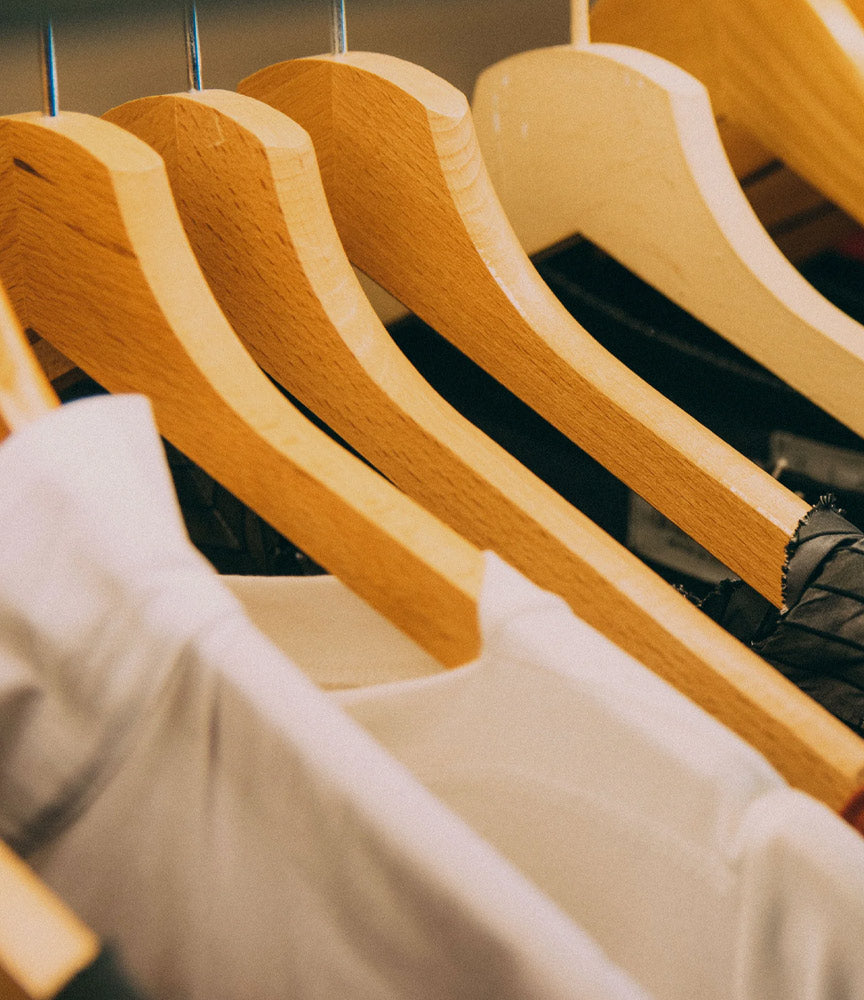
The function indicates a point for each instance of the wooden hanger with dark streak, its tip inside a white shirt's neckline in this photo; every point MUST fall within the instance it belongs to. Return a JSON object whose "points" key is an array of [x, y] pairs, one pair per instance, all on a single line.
{"points": [[95, 260]]}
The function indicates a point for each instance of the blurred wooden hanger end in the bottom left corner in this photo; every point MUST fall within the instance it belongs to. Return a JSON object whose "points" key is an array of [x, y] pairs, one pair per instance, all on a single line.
{"points": [[42, 943]]}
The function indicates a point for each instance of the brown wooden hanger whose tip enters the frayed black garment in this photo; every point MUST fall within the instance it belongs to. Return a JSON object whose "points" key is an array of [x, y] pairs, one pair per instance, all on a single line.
{"points": [[415, 209]]}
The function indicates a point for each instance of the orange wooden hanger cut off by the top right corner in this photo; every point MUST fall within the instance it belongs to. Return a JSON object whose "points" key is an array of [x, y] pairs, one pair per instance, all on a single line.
{"points": [[792, 75]]}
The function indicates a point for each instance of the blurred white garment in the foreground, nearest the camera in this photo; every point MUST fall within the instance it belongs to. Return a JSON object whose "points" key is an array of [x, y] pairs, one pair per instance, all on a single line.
{"points": [[194, 797]]}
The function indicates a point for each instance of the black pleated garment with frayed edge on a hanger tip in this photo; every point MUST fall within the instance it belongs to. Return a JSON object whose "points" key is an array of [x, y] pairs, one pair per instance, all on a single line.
{"points": [[817, 640]]}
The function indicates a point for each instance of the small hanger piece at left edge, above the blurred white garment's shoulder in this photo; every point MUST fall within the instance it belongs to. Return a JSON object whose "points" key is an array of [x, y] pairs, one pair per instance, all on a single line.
{"points": [[25, 393]]}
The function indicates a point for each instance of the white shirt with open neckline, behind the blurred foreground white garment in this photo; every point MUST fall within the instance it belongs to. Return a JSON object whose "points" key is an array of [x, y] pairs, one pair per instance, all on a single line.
{"points": [[670, 840]]}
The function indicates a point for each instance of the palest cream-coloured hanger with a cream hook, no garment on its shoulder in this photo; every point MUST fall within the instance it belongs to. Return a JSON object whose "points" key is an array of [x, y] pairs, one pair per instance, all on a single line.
{"points": [[620, 146]]}
